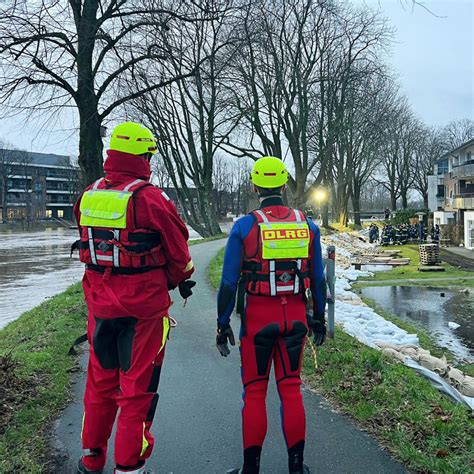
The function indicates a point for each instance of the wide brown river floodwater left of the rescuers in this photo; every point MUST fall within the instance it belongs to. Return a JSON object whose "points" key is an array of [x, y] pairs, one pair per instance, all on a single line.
{"points": [[35, 266]]}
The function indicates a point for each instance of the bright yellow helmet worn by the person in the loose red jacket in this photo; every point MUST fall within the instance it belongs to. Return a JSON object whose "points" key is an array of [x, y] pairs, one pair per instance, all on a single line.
{"points": [[133, 138]]}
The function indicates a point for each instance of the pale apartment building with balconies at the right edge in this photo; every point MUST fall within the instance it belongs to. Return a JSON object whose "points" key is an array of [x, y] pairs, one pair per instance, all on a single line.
{"points": [[451, 190]]}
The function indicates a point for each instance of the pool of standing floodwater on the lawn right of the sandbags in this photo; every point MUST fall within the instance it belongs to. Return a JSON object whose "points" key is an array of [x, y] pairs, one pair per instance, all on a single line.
{"points": [[428, 308]]}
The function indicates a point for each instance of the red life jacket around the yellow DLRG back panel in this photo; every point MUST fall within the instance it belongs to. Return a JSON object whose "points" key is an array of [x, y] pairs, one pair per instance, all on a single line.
{"points": [[276, 276]]}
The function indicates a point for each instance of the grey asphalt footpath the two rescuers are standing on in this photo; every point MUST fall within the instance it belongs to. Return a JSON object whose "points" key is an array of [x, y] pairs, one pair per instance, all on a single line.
{"points": [[197, 426]]}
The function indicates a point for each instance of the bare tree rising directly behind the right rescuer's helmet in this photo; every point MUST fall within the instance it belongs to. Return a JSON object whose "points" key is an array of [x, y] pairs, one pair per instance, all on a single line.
{"points": [[290, 80]]}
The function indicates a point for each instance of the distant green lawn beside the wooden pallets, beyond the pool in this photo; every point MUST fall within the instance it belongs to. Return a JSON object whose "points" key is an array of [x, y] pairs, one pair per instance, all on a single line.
{"points": [[410, 271]]}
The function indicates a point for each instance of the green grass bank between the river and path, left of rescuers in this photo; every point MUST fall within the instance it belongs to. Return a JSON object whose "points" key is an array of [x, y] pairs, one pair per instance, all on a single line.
{"points": [[38, 343]]}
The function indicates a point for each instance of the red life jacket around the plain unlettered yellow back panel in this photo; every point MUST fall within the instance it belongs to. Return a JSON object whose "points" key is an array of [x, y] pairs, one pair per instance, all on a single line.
{"points": [[132, 250]]}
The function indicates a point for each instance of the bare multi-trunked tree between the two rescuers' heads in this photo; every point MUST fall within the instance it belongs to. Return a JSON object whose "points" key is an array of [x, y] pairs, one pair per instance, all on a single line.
{"points": [[188, 116]]}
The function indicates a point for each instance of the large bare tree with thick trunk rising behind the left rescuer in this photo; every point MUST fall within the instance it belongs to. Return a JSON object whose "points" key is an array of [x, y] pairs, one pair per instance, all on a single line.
{"points": [[77, 53]]}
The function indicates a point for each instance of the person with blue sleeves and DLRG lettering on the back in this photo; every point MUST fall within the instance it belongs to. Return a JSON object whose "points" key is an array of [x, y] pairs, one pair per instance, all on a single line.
{"points": [[272, 259]]}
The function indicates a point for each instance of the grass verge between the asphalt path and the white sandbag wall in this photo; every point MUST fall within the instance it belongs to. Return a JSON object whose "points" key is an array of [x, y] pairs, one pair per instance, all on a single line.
{"points": [[418, 424]]}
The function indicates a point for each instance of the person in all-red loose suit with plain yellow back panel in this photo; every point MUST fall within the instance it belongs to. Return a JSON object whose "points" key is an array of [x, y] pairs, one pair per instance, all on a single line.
{"points": [[135, 249]]}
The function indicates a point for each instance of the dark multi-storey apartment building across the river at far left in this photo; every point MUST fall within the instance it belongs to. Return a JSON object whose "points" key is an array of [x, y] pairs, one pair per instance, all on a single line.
{"points": [[37, 185]]}
